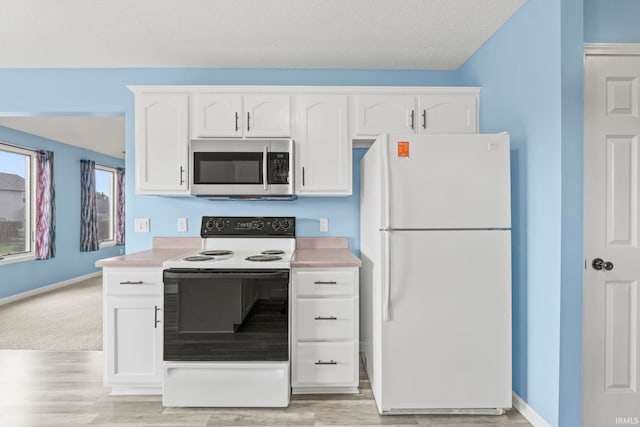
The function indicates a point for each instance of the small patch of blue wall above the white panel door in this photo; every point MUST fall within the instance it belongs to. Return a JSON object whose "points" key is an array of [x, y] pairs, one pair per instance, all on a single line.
{"points": [[607, 21]]}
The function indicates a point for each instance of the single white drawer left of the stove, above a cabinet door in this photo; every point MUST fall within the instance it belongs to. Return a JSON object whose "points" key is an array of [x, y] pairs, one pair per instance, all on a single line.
{"points": [[133, 281]]}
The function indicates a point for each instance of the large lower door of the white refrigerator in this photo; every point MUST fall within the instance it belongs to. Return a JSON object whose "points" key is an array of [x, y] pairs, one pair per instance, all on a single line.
{"points": [[447, 343]]}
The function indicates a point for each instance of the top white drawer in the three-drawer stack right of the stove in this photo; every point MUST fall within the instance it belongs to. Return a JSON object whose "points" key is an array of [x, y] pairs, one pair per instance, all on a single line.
{"points": [[324, 282]]}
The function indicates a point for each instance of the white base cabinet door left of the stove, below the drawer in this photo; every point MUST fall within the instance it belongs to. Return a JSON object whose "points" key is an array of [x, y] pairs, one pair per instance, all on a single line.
{"points": [[133, 341]]}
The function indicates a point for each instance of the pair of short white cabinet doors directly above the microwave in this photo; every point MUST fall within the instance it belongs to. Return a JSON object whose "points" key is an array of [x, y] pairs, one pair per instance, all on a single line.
{"points": [[236, 115]]}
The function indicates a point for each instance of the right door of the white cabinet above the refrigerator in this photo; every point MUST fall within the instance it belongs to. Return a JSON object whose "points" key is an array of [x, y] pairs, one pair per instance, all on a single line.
{"points": [[448, 114]]}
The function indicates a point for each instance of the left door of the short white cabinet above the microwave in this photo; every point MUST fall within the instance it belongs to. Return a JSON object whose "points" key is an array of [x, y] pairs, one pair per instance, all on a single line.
{"points": [[216, 115]]}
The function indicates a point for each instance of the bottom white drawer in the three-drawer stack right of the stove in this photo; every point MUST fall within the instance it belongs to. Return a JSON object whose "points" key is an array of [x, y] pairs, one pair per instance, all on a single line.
{"points": [[326, 363]]}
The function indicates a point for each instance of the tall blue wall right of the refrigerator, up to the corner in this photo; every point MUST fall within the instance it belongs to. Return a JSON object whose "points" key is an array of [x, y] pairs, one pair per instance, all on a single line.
{"points": [[519, 71]]}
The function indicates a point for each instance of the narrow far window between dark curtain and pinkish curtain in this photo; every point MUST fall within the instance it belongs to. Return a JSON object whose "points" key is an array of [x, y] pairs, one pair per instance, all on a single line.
{"points": [[106, 204]]}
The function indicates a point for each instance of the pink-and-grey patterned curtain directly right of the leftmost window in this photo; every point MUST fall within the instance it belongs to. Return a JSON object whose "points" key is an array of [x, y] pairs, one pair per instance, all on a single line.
{"points": [[45, 206]]}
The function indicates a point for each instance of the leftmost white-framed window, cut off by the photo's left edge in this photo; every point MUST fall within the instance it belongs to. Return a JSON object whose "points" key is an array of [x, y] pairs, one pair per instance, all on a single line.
{"points": [[16, 202]]}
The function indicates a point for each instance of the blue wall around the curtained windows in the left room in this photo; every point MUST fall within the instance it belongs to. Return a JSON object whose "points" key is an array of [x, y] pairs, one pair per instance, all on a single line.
{"points": [[68, 262]]}
